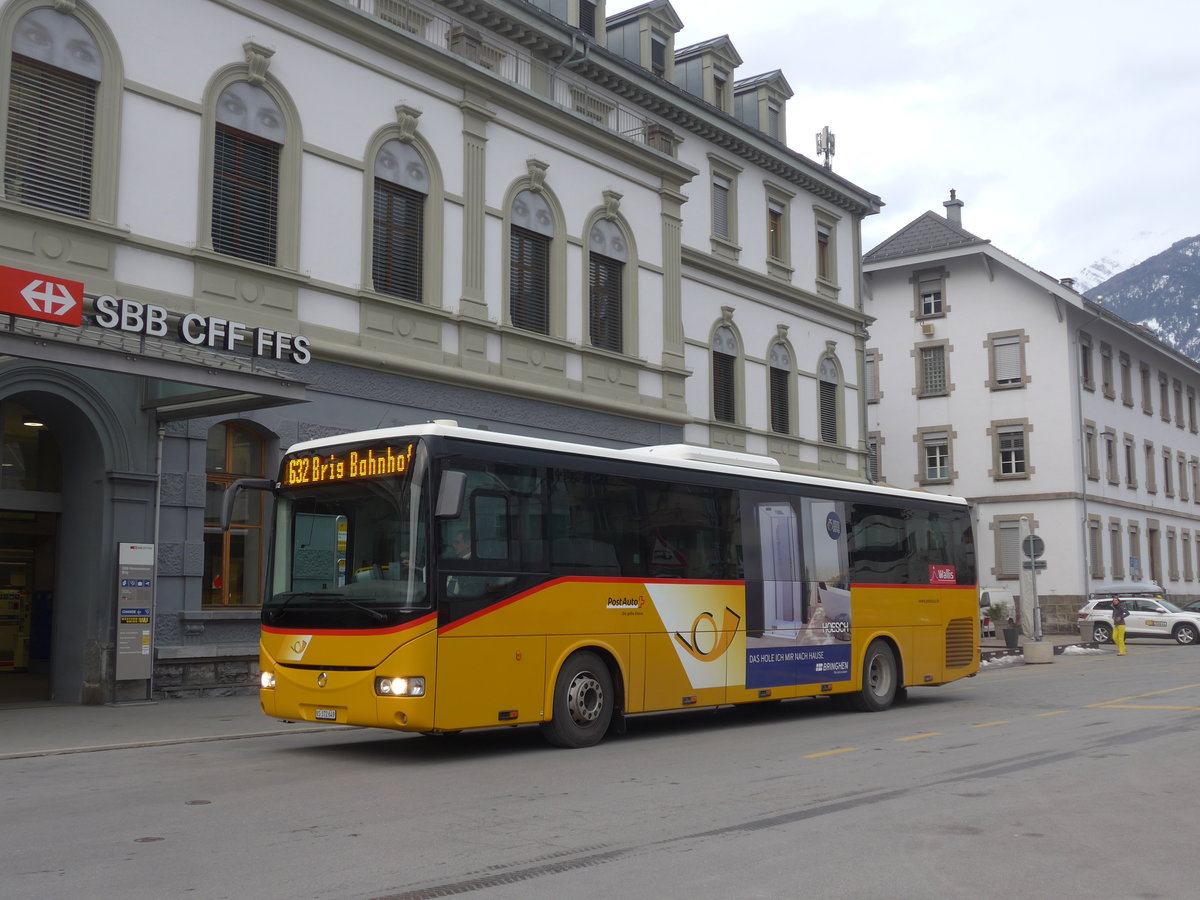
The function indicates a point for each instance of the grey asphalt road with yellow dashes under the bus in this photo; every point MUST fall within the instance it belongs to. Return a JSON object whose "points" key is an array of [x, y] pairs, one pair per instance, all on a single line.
{"points": [[1070, 779]]}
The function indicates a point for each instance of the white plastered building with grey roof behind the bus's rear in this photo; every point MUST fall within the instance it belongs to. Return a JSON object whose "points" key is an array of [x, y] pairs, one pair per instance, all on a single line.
{"points": [[997, 382]]}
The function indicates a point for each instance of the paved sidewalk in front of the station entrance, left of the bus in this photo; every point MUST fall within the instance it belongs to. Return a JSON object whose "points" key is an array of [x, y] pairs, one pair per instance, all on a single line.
{"points": [[47, 729]]}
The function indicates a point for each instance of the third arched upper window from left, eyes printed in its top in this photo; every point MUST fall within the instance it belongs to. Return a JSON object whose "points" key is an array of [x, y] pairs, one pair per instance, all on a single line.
{"points": [[401, 189]]}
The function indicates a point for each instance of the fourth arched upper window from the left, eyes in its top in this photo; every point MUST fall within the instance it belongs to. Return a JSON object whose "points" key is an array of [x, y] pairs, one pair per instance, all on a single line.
{"points": [[532, 230]]}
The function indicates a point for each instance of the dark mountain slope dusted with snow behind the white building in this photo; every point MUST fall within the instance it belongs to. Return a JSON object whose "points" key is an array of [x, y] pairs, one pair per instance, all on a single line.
{"points": [[1162, 293]]}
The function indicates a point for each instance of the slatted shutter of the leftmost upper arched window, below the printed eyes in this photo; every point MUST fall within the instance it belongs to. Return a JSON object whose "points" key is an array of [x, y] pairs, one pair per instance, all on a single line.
{"points": [[49, 153]]}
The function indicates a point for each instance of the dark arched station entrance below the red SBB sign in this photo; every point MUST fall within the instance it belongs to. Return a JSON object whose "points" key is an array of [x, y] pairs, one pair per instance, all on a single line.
{"points": [[57, 531]]}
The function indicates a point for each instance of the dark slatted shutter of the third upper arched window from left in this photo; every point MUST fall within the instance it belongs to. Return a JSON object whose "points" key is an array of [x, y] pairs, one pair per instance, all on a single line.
{"points": [[399, 241]]}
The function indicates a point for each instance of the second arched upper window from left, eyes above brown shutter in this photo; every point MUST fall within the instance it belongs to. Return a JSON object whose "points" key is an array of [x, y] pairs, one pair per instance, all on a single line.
{"points": [[250, 136]]}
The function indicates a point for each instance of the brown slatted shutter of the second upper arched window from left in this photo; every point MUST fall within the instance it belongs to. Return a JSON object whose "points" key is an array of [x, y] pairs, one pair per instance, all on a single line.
{"points": [[245, 196]]}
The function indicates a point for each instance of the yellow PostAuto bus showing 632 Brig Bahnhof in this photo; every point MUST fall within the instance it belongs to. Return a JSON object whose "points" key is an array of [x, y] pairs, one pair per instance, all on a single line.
{"points": [[435, 579]]}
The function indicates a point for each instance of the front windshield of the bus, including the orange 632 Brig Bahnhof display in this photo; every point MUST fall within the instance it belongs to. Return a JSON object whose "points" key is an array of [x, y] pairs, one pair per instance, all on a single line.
{"points": [[351, 541]]}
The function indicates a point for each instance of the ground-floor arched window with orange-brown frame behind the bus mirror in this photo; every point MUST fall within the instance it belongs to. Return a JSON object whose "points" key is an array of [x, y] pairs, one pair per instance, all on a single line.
{"points": [[233, 560]]}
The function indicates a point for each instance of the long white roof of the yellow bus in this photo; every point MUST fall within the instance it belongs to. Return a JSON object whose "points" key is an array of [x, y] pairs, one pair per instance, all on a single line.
{"points": [[677, 457]]}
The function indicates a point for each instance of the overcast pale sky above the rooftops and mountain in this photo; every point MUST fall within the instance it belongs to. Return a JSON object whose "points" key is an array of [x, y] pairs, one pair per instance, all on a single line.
{"points": [[1071, 130]]}
